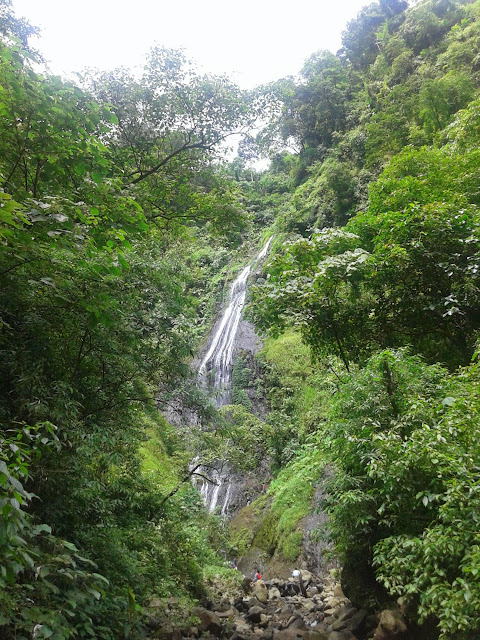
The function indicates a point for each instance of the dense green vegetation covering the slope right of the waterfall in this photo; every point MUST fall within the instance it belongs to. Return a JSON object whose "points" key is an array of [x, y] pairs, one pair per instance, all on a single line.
{"points": [[377, 268]]}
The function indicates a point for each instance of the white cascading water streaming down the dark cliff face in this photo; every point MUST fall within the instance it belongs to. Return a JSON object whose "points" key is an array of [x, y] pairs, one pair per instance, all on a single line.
{"points": [[215, 372]]}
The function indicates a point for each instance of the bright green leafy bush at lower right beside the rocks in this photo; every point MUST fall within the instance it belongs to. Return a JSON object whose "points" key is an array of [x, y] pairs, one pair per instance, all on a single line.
{"points": [[405, 441]]}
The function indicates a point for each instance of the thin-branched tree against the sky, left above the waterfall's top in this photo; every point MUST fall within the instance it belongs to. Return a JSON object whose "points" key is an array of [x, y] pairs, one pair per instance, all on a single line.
{"points": [[167, 122]]}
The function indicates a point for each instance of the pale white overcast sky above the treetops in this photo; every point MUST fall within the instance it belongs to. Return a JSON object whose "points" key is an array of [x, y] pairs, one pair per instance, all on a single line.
{"points": [[255, 41]]}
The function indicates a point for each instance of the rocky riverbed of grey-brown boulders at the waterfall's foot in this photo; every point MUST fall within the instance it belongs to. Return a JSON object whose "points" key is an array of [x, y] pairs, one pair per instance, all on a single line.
{"points": [[311, 609]]}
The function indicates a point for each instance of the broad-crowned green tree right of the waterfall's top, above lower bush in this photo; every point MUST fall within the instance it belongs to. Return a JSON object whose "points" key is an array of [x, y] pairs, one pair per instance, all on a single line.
{"points": [[403, 272]]}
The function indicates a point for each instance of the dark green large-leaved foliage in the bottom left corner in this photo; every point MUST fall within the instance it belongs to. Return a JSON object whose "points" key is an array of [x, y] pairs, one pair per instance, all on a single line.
{"points": [[63, 602]]}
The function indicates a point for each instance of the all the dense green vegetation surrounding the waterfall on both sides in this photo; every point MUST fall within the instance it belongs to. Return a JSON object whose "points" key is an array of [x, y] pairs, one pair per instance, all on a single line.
{"points": [[118, 221]]}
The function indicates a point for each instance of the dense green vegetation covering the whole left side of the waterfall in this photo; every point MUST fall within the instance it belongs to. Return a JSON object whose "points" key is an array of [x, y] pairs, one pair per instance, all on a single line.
{"points": [[109, 196]]}
